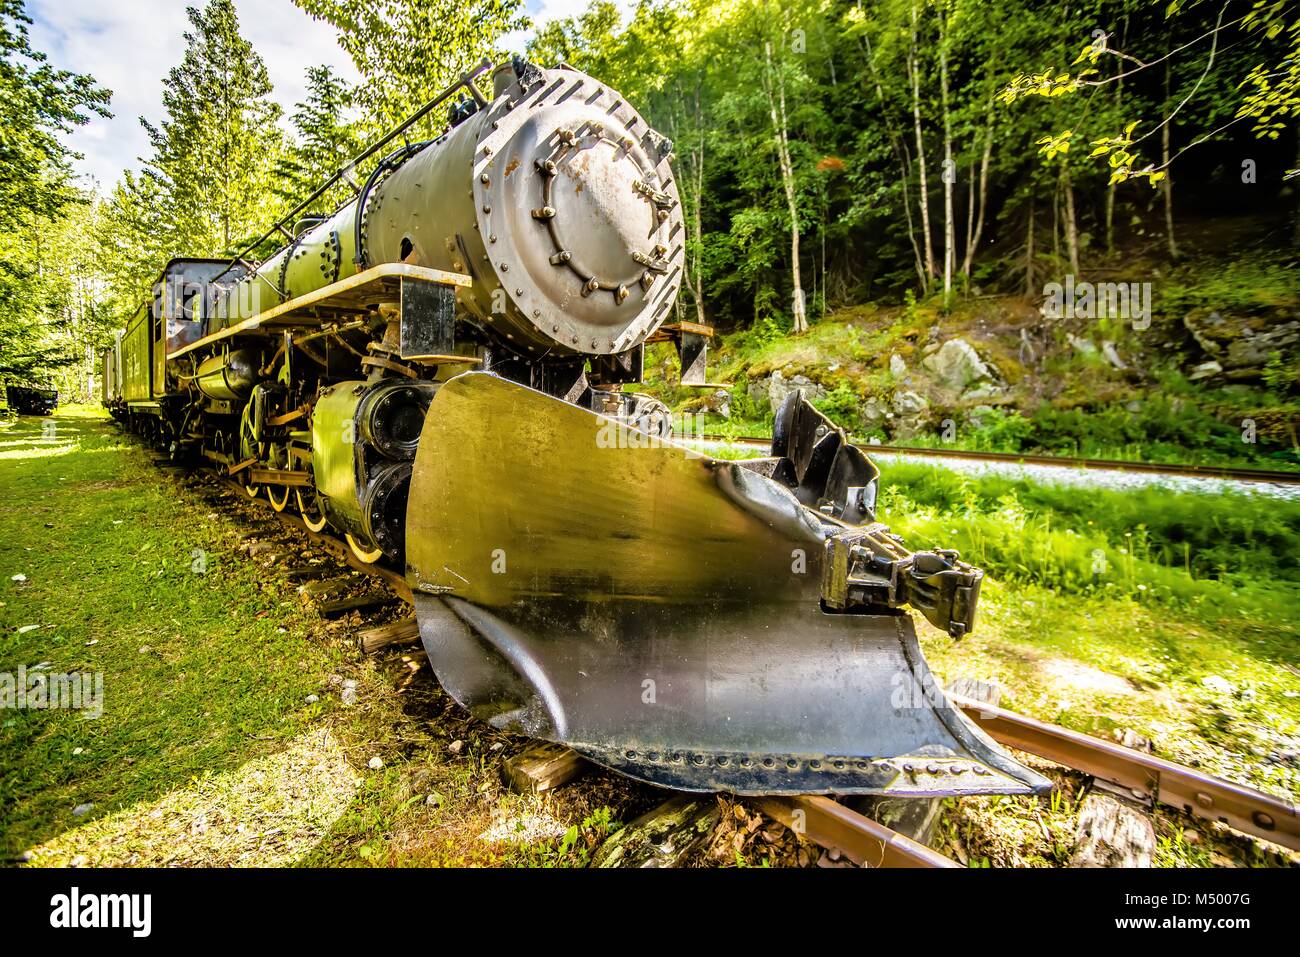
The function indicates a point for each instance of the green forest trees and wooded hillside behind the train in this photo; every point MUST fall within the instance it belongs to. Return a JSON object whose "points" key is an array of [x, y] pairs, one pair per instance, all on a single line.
{"points": [[846, 168]]}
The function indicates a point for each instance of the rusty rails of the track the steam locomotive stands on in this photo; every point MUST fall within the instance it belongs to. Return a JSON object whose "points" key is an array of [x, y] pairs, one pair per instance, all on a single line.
{"points": [[868, 843]]}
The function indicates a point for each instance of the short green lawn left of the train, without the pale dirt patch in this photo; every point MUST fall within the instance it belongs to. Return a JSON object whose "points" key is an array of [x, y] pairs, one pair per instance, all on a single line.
{"points": [[202, 672]]}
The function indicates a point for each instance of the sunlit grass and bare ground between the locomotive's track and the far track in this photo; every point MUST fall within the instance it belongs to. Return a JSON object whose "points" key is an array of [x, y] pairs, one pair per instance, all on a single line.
{"points": [[1173, 616]]}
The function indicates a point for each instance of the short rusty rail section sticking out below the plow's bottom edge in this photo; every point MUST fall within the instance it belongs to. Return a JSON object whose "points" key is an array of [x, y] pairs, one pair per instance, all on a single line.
{"points": [[863, 841]]}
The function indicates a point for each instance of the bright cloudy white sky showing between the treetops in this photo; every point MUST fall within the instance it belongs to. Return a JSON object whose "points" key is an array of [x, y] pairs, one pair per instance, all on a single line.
{"points": [[129, 46]]}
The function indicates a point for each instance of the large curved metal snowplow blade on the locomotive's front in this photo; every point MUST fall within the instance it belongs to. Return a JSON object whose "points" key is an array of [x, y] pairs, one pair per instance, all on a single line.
{"points": [[662, 612]]}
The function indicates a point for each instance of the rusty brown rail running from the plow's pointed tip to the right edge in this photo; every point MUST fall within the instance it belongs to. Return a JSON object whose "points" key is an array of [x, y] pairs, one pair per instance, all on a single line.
{"points": [[1146, 776]]}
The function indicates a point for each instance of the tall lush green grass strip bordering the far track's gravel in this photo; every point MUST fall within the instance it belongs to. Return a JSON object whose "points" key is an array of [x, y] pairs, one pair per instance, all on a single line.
{"points": [[1149, 545]]}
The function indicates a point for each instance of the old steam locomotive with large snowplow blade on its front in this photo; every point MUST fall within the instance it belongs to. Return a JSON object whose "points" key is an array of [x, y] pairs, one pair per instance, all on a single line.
{"points": [[441, 374]]}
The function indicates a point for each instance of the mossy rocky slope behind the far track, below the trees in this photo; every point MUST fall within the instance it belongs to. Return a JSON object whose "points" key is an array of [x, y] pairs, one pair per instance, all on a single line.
{"points": [[1212, 374]]}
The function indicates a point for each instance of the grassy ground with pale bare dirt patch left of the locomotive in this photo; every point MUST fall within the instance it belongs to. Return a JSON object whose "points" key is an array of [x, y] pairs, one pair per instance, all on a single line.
{"points": [[226, 738]]}
